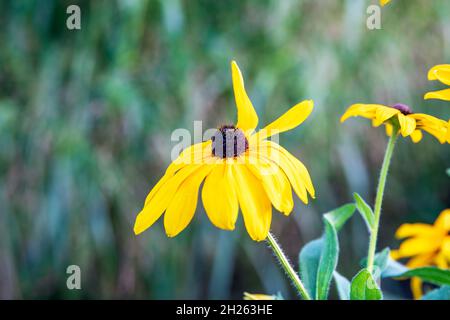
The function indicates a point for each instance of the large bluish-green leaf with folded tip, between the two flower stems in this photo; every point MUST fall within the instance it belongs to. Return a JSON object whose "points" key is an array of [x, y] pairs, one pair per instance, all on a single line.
{"points": [[318, 259]]}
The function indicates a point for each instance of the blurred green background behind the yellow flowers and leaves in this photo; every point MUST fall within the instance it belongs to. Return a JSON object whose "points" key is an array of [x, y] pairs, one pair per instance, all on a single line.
{"points": [[86, 117]]}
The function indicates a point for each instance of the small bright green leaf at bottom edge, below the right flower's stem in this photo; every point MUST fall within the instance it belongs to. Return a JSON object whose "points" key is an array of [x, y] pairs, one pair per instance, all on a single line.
{"points": [[364, 287]]}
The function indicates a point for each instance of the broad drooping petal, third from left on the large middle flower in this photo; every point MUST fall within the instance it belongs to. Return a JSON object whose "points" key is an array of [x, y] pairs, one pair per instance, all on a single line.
{"points": [[219, 197]]}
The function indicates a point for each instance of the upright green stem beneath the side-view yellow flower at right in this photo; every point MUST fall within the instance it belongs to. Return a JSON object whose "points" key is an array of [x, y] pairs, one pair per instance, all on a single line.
{"points": [[379, 200]]}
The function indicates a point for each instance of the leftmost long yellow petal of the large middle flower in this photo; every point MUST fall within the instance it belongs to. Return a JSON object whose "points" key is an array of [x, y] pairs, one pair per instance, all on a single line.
{"points": [[161, 199]]}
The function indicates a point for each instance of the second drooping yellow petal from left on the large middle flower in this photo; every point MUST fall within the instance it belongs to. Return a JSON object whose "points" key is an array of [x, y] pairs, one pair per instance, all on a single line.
{"points": [[182, 207]]}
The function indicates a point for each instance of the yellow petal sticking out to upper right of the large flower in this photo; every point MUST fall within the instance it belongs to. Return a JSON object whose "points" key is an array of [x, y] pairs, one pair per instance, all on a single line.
{"points": [[289, 120]]}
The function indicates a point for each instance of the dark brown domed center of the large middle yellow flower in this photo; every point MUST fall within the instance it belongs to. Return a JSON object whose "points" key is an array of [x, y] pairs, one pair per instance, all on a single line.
{"points": [[228, 141]]}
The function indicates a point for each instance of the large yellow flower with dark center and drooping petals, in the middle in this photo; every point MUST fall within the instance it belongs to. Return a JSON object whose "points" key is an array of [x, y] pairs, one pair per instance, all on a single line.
{"points": [[239, 168]]}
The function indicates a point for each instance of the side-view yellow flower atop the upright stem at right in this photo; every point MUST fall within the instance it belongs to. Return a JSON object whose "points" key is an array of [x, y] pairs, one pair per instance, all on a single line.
{"points": [[409, 123]]}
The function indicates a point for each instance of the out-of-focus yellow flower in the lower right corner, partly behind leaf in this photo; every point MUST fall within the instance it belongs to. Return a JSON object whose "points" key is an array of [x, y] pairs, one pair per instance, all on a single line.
{"points": [[427, 245]]}
